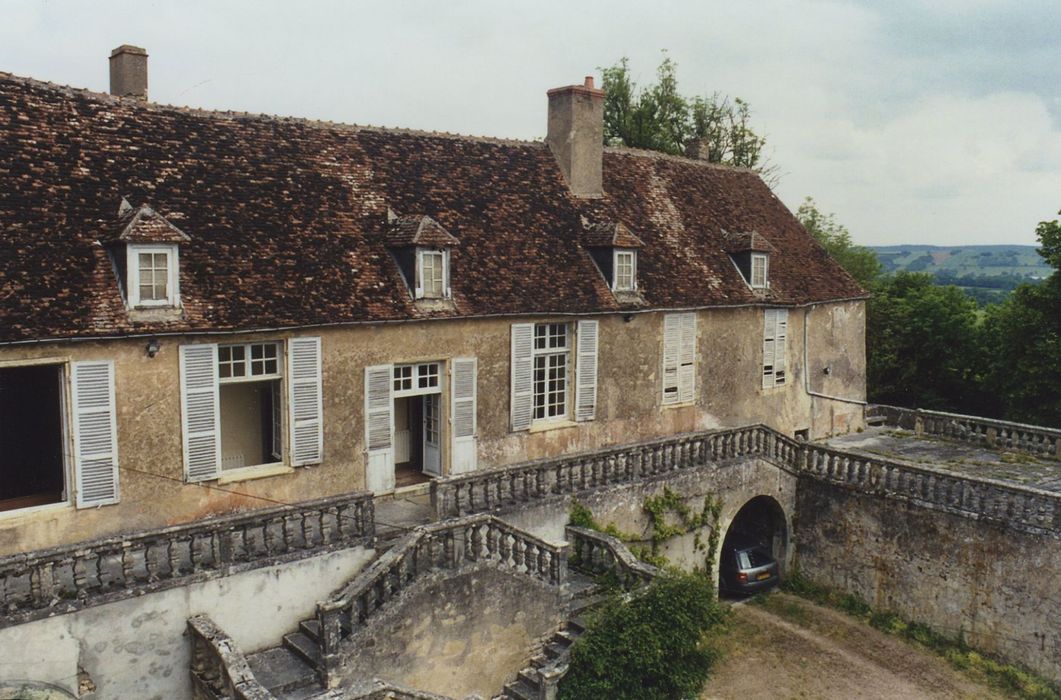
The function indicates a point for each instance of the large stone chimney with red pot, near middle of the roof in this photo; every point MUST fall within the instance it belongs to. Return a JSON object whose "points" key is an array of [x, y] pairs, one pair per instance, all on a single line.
{"points": [[577, 136]]}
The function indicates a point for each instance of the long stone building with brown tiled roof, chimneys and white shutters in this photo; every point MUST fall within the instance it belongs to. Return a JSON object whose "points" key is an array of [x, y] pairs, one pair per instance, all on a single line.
{"points": [[206, 312]]}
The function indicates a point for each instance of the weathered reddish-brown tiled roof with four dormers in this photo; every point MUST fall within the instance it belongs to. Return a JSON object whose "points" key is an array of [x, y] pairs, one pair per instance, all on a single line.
{"points": [[289, 227]]}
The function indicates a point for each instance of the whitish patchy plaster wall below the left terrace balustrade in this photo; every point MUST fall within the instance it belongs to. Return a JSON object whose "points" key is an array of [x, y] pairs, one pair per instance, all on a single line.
{"points": [[137, 649]]}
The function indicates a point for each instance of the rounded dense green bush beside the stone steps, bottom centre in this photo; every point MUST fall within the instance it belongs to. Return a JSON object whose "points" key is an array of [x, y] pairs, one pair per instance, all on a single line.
{"points": [[654, 646]]}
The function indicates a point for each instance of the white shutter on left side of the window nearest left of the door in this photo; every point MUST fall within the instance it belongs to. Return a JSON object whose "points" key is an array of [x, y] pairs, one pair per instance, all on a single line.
{"points": [[201, 410]]}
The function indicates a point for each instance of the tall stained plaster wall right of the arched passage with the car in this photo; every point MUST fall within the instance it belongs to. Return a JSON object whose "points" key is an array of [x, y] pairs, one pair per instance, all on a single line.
{"points": [[995, 586]]}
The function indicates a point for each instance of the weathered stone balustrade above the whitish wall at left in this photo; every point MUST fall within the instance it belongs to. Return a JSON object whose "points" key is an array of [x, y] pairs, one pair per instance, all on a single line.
{"points": [[63, 580]]}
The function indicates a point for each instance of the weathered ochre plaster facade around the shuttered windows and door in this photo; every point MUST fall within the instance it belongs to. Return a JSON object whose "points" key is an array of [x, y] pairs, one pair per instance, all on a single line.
{"points": [[729, 366]]}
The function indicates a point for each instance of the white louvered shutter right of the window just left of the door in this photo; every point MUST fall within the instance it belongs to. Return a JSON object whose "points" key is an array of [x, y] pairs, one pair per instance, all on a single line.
{"points": [[306, 409]]}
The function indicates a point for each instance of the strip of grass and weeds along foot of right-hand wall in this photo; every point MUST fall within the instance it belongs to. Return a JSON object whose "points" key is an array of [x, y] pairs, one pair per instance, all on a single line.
{"points": [[1013, 680]]}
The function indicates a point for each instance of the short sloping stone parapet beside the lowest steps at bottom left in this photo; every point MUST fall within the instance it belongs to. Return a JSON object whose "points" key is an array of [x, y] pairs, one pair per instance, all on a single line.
{"points": [[219, 670]]}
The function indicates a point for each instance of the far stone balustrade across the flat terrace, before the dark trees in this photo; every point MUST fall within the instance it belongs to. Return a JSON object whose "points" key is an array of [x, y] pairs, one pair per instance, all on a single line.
{"points": [[985, 432]]}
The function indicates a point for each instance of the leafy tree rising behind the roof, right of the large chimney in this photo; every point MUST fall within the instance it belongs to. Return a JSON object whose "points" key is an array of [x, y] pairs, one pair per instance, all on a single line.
{"points": [[659, 118]]}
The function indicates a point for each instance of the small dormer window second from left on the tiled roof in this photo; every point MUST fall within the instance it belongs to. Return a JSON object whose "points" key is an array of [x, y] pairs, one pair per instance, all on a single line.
{"points": [[422, 249]]}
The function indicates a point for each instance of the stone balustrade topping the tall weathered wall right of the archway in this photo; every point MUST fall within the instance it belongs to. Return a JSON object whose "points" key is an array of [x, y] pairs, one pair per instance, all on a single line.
{"points": [[1021, 507]]}
